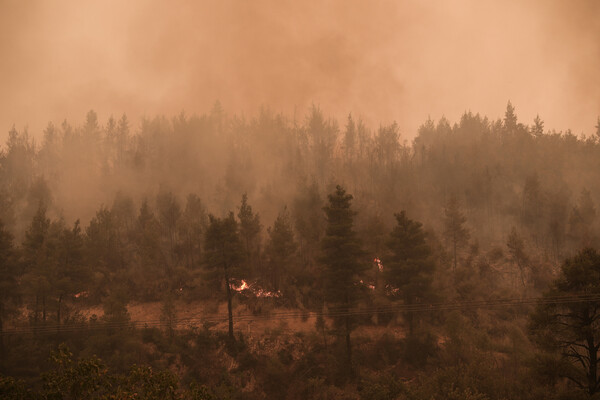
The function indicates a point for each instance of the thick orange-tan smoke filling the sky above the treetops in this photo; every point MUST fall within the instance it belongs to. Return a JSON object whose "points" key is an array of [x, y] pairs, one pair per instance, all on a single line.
{"points": [[382, 61]]}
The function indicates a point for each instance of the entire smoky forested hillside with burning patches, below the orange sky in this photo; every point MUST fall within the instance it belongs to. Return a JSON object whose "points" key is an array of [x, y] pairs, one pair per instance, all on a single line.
{"points": [[377, 267]]}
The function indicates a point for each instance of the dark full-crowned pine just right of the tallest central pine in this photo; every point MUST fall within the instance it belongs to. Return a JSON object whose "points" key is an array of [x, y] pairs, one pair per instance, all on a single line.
{"points": [[409, 267]]}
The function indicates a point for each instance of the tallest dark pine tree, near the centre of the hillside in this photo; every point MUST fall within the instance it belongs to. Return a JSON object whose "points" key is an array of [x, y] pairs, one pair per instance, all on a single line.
{"points": [[342, 258]]}
